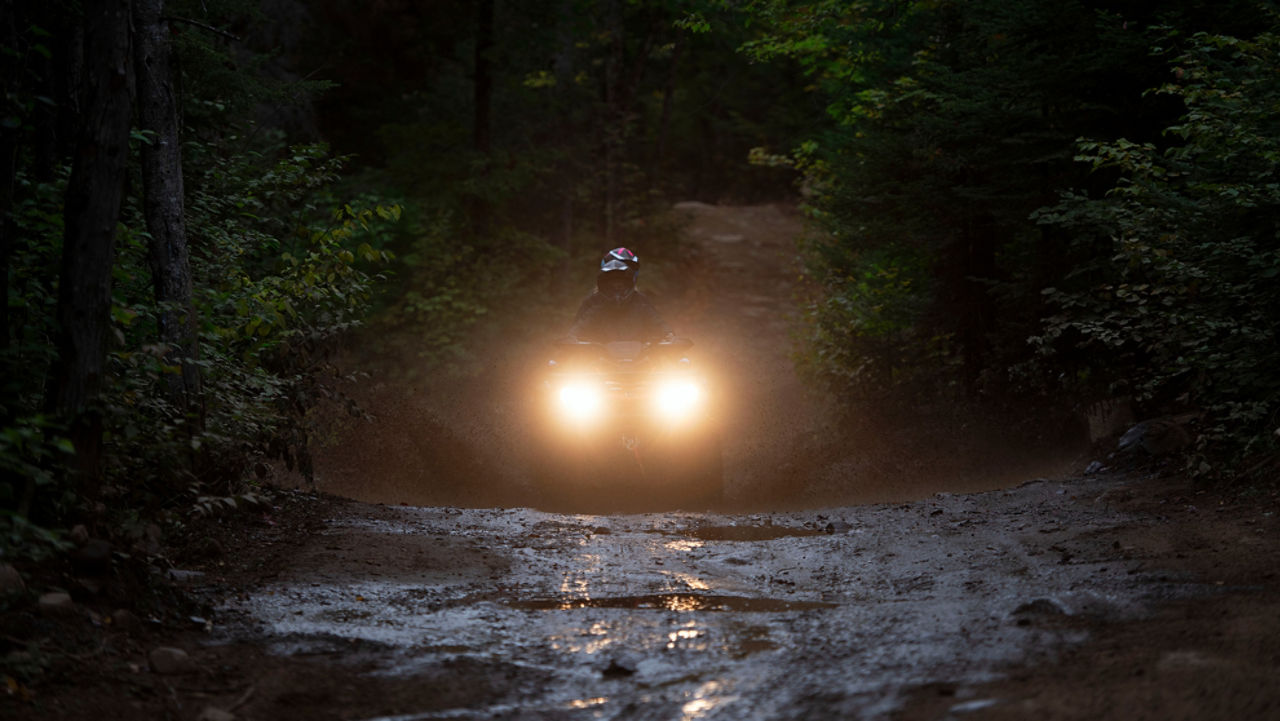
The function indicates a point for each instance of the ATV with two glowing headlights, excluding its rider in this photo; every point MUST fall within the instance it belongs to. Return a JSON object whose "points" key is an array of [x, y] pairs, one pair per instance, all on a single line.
{"points": [[627, 427]]}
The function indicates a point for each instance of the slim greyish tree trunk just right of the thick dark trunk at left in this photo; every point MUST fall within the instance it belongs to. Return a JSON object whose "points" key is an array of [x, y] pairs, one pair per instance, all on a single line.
{"points": [[163, 207]]}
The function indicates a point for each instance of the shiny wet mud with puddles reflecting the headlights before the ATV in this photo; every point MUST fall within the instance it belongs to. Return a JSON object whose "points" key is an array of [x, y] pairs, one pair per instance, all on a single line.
{"points": [[813, 614]]}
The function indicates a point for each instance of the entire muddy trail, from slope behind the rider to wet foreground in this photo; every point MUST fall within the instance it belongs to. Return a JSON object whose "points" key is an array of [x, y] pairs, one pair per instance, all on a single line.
{"points": [[909, 574]]}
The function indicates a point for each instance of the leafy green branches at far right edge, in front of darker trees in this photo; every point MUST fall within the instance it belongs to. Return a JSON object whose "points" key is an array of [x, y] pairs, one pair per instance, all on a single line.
{"points": [[1178, 303]]}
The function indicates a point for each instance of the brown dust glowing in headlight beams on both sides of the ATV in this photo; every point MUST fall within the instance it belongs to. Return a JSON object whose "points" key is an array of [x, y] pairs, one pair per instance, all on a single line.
{"points": [[460, 439]]}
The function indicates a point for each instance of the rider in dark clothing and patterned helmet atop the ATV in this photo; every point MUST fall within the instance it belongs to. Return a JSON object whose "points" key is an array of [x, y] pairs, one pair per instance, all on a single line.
{"points": [[618, 311]]}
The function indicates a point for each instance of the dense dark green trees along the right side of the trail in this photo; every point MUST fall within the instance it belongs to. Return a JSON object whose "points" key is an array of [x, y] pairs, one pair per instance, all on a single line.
{"points": [[948, 241]]}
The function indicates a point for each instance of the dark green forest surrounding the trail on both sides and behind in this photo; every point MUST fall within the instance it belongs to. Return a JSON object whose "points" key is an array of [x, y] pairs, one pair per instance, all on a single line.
{"points": [[1035, 204]]}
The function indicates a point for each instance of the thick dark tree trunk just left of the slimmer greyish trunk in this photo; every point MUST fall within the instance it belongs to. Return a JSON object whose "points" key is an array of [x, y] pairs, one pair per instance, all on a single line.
{"points": [[93, 211]]}
